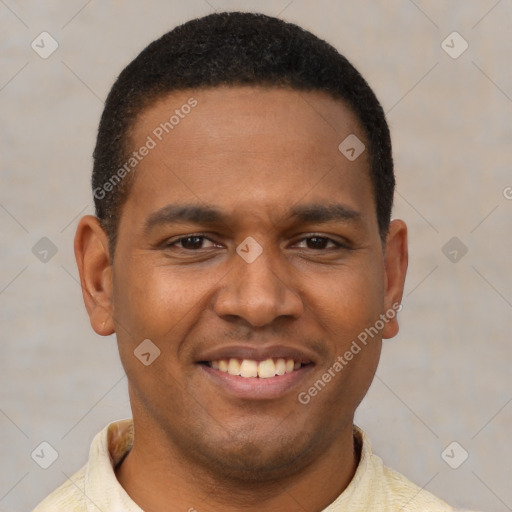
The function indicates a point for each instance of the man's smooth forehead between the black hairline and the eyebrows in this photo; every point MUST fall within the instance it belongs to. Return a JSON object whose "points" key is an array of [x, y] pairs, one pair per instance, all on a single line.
{"points": [[249, 146]]}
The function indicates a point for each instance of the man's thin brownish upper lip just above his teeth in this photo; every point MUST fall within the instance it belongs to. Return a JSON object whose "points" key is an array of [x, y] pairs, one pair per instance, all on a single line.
{"points": [[259, 353]]}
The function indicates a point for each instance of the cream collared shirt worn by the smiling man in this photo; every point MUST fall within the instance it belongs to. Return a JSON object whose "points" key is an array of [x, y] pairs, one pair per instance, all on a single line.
{"points": [[95, 487]]}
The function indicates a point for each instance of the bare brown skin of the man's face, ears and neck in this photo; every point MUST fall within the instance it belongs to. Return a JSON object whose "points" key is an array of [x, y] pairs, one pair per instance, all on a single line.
{"points": [[253, 153]]}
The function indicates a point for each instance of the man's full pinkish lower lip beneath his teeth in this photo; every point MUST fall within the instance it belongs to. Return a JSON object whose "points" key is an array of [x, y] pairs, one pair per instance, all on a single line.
{"points": [[255, 388]]}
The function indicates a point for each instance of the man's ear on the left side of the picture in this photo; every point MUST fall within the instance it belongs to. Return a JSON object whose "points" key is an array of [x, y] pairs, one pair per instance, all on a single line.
{"points": [[93, 260]]}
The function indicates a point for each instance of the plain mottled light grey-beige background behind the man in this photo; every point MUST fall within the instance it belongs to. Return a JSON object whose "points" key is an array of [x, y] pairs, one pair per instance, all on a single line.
{"points": [[446, 376]]}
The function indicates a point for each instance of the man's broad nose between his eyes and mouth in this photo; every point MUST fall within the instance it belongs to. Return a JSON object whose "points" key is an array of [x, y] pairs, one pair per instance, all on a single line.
{"points": [[258, 292]]}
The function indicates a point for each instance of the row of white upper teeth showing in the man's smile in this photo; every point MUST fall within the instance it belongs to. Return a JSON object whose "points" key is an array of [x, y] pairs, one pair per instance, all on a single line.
{"points": [[250, 368]]}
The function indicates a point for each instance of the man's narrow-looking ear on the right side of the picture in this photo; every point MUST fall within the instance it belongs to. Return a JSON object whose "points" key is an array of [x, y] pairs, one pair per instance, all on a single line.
{"points": [[395, 267]]}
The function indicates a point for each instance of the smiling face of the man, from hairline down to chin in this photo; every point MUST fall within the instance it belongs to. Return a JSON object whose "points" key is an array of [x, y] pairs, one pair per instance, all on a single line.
{"points": [[249, 243]]}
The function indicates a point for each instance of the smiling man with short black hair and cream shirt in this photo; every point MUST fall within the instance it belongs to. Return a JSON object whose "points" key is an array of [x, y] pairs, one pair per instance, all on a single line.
{"points": [[243, 254]]}
